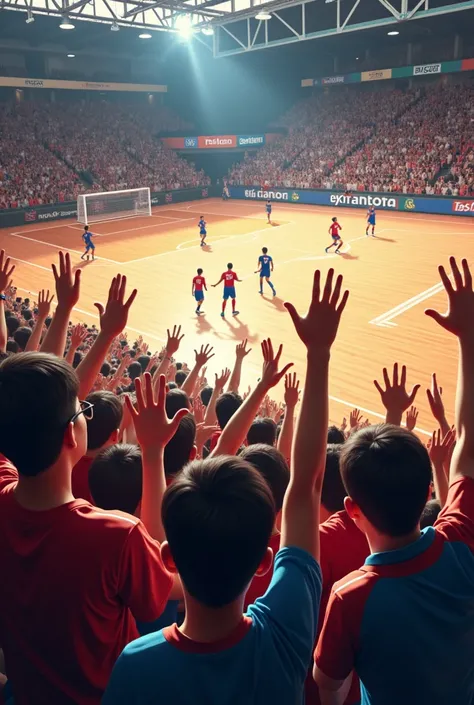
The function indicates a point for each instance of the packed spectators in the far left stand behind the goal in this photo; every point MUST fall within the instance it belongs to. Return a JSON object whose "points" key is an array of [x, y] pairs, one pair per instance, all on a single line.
{"points": [[50, 152]]}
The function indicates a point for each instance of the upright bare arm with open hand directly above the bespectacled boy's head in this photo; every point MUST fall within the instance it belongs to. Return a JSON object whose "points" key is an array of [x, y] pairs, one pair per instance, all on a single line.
{"points": [[67, 294]]}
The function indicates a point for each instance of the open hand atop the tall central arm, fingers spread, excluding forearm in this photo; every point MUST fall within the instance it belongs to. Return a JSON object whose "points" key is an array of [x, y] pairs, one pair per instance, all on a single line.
{"points": [[318, 328]]}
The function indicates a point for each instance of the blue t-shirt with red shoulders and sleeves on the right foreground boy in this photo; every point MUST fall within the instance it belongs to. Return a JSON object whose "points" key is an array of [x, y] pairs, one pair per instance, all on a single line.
{"points": [[405, 620]]}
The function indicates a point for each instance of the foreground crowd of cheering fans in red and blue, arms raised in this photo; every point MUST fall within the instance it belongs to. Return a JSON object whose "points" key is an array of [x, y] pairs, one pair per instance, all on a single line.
{"points": [[227, 531]]}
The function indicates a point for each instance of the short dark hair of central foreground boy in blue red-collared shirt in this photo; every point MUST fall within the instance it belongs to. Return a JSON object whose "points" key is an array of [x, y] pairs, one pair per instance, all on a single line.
{"points": [[215, 551]]}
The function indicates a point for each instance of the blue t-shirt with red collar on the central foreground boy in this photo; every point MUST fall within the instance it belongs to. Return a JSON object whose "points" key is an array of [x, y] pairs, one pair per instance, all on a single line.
{"points": [[265, 660]]}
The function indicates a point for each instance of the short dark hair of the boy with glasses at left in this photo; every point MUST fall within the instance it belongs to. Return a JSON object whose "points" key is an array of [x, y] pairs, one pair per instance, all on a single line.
{"points": [[38, 392]]}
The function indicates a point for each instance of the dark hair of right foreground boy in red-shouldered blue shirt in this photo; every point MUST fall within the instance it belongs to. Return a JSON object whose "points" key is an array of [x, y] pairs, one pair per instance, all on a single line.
{"points": [[386, 470]]}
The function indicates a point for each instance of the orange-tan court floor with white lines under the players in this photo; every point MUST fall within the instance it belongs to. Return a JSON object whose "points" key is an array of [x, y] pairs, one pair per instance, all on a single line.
{"points": [[392, 278]]}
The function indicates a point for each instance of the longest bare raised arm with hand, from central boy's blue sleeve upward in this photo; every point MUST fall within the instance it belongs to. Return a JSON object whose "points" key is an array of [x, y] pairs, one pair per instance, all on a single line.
{"points": [[317, 330]]}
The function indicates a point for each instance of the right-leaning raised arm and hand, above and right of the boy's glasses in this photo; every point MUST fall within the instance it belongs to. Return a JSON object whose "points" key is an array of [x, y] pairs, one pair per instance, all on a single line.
{"points": [[113, 320]]}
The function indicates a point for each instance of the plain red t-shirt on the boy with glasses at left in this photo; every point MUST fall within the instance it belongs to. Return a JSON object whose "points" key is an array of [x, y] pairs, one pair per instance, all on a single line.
{"points": [[78, 577]]}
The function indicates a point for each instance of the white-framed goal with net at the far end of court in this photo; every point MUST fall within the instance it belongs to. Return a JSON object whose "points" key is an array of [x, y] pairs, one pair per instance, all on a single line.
{"points": [[96, 207]]}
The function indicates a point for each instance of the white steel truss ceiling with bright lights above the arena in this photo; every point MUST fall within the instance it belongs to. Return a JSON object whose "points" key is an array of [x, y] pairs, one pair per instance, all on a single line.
{"points": [[229, 27]]}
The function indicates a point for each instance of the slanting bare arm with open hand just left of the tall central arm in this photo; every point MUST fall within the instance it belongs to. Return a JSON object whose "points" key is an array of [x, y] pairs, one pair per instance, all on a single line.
{"points": [[237, 428]]}
